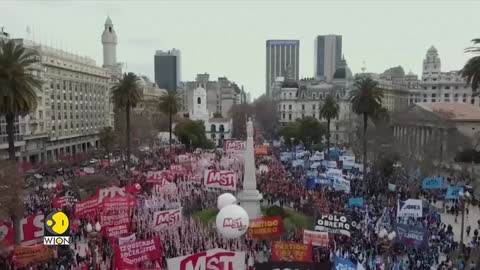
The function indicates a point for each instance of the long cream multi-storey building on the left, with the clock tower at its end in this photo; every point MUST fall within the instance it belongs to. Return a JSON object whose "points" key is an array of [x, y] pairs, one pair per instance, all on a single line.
{"points": [[73, 104]]}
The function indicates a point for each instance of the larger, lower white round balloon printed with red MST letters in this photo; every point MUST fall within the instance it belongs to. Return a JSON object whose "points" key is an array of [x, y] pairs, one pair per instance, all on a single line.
{"points": [[232, 221]]}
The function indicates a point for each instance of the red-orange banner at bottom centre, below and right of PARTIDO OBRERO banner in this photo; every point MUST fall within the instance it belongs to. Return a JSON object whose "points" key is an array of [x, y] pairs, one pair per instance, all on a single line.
{"points": [[291, 252]]}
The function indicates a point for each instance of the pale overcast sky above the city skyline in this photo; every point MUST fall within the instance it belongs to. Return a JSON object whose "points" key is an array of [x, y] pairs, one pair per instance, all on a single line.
{"points": [[227, 38]]}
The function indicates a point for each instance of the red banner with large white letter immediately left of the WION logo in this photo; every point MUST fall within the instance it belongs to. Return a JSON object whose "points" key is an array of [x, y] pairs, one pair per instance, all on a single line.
{"points": [[31, 230]]}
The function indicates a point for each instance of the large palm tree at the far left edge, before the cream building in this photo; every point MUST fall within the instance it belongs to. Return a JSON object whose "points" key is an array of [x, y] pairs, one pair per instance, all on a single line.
{"points": [[17, 86]]}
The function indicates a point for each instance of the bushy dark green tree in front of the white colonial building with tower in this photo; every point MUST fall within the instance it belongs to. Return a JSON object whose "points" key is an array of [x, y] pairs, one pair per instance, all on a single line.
{"points": [[192, 134]]}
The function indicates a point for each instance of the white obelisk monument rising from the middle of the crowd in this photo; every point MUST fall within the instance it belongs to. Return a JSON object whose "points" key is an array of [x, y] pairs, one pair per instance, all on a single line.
{"points": [[250, 197]]}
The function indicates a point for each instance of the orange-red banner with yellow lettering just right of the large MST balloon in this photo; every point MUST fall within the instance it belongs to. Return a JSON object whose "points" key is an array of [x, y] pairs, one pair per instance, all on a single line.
{"points": [[267, 227]]}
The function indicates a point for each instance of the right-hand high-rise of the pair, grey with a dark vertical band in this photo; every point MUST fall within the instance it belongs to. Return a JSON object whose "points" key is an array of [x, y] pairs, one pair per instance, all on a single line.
{"points": [[328, 54]]}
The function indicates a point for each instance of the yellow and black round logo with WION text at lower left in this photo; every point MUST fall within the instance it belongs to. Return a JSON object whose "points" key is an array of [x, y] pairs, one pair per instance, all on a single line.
{"points": [[56, 229]]}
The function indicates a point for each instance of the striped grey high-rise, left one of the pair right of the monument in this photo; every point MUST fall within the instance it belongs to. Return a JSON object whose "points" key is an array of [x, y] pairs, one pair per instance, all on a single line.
{"points": [[282, 61]]}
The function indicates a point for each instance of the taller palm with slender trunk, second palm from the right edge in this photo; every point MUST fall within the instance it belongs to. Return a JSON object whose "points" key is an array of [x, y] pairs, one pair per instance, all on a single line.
{"points": [[366, 100]]}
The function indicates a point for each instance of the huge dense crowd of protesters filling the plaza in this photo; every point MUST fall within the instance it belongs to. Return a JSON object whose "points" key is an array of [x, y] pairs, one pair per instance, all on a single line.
{"points": [[282, 185]]}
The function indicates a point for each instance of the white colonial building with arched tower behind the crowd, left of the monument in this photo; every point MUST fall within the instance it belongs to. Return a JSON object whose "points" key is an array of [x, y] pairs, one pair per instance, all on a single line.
{"points": [[217, 129]]}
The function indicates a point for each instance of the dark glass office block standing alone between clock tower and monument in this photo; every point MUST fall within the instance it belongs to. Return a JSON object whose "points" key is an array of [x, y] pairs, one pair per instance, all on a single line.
{"points": [[167, 69]]}
